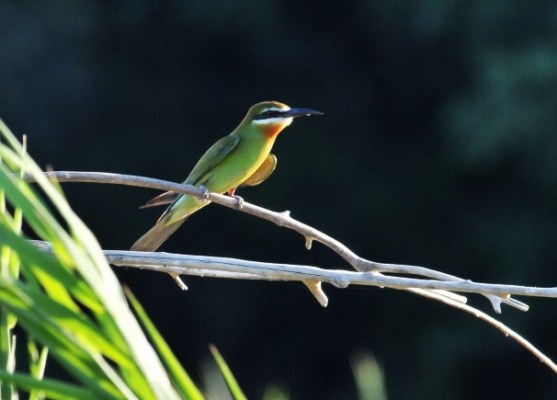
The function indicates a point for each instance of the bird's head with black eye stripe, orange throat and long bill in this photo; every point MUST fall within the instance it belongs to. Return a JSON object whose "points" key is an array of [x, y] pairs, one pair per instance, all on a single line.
{"points": [[271, 117]]}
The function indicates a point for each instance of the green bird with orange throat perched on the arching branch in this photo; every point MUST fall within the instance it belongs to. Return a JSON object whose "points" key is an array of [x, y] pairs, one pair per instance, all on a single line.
{"points": [[242, 158]]}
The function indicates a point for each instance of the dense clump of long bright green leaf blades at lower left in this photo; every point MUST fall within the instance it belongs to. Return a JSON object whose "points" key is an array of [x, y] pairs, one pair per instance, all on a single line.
{"points": [[70, 303]]}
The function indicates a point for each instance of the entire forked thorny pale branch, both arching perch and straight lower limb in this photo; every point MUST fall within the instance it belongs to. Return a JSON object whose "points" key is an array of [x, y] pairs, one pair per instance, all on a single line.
{"points": [[437, 285]]}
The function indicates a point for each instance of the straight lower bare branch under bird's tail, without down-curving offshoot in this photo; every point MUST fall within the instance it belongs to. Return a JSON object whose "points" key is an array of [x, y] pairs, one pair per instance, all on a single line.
{"points": [[209, 266]]}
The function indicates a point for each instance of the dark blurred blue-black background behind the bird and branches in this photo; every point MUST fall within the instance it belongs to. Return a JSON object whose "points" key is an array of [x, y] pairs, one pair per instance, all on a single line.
{"points": [[438, 148]]}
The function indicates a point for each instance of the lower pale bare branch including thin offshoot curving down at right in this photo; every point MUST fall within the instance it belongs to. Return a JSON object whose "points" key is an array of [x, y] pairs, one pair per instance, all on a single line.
{"points": [[230, 268]]}
